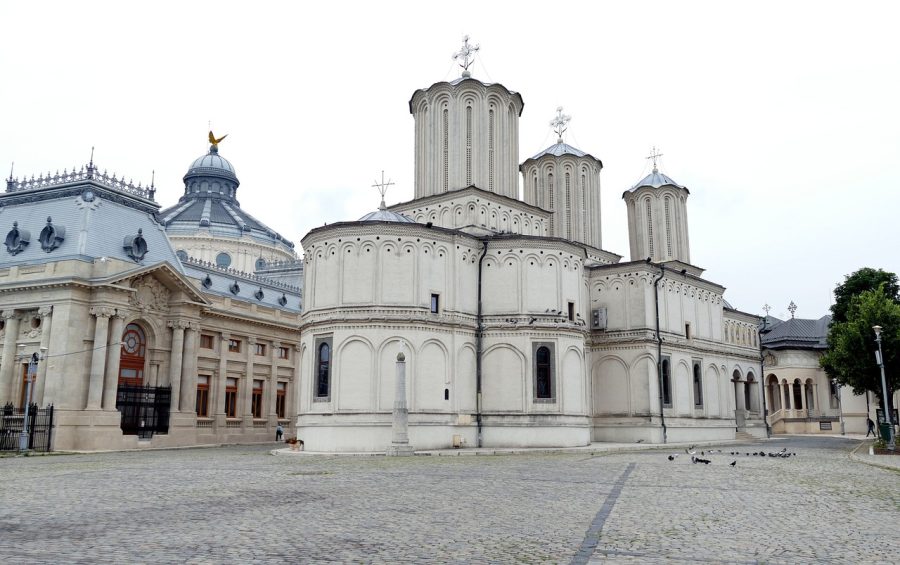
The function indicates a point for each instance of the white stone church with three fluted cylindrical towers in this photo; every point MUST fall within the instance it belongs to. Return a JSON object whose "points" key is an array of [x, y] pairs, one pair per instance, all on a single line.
{"points": [[518, 328]]}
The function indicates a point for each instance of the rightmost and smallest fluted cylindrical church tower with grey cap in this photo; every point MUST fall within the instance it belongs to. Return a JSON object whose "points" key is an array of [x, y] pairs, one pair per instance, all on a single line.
{"points": [[657, 219]]}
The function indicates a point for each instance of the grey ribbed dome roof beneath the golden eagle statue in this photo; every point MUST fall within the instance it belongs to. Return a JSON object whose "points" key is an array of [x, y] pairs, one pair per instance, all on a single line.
{"points": [[209, 202]]}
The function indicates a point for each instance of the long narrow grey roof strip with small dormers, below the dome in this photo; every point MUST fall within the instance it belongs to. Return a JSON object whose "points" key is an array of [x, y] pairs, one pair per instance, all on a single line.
{"points": [[220, 281]]}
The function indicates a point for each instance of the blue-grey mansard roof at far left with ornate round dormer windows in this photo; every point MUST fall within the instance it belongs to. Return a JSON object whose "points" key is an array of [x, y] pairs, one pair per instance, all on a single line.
{"points": [[95, 224]]}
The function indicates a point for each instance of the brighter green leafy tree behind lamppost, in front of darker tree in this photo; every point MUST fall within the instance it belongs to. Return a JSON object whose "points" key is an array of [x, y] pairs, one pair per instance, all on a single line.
{"points": [[850, 358]]}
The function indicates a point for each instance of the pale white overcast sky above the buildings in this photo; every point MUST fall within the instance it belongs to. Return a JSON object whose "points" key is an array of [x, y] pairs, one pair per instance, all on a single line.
{"points": [[780, 117]]}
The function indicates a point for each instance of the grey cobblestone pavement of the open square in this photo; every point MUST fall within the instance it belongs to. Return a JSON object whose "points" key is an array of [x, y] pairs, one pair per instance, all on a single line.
{"points": [[243, 505]]}
